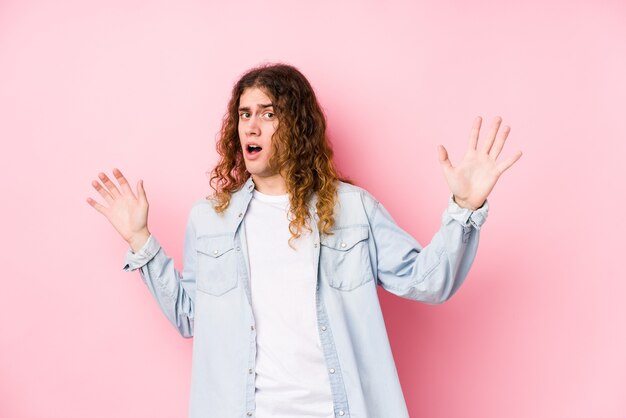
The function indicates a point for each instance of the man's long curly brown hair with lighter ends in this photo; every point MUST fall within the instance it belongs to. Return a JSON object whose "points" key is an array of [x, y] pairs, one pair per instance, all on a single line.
{"points": [[301, 151]]}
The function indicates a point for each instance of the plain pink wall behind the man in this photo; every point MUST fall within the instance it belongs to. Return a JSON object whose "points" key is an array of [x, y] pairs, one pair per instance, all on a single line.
{"points": [[538, 330]]}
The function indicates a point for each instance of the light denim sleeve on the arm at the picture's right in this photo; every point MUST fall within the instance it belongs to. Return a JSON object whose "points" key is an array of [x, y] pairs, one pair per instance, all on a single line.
{"points": [[430, 274]]}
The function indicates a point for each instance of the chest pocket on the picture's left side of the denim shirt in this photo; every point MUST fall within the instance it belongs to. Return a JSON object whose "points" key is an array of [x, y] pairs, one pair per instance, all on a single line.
{"points": [[216, 270]]}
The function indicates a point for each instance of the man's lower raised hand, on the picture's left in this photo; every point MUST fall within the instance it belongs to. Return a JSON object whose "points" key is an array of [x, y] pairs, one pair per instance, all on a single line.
{"points": [[128, 214]]}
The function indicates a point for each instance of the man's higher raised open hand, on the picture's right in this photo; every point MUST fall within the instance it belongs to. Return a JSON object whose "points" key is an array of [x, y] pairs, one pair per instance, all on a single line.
{"points": [[473, 179]]}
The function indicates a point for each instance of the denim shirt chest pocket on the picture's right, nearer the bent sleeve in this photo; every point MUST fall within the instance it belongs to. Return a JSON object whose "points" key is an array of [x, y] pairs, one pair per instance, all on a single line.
{"points": [[344, 258]]}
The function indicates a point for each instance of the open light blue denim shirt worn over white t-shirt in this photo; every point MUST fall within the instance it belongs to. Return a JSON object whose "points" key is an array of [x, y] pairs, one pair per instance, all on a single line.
{"points": [[210, 300]]}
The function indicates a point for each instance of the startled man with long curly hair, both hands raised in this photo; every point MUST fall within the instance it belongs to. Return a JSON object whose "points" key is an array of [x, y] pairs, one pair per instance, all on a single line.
{"points": [[281, 263]]}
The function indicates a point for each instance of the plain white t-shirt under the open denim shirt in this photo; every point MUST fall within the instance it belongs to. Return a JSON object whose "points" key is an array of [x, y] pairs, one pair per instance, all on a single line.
{"points": [[291, 376]]}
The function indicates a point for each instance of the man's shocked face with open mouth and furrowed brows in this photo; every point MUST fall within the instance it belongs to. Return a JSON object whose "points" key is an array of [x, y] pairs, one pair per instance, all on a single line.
{"points": [[257, 123]]}
